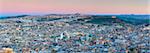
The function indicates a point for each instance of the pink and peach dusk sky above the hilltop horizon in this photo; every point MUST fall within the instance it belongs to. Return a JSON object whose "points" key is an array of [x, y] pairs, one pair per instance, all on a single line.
{"points": [[74, 6]]}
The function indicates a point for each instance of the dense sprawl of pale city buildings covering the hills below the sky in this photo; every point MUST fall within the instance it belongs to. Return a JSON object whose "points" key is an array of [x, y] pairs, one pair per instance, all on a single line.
{"points": [[73, 33]]}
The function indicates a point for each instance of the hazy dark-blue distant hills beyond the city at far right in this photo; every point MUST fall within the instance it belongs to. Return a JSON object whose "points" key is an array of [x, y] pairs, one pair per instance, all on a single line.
{"points": [[135, 19]]}
